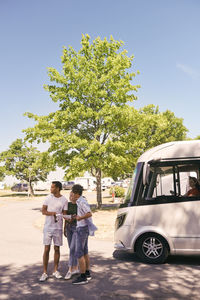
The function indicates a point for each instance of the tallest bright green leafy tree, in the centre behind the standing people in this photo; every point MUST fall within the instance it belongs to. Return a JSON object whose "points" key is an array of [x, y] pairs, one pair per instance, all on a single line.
{"points": [[92, 90]]}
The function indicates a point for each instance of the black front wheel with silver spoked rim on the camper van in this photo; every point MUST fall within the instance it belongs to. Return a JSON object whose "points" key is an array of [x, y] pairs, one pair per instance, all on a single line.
{"points": [[152, 248]]}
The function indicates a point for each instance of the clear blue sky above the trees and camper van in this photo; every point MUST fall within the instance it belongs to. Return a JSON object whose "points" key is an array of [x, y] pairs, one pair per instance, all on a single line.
{"points": [[163, 36]]}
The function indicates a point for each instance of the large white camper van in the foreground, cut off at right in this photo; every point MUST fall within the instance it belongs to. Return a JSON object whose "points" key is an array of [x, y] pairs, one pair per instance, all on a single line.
{"points": [[158, 217]]}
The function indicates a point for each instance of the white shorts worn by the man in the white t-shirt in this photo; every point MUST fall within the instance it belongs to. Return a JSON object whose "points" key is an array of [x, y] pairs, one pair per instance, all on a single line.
{"points": [[53, 234]]}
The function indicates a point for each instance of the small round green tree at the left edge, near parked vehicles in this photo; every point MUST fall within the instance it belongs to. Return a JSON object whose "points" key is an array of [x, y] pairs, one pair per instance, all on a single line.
{"points": [[26, 163]]}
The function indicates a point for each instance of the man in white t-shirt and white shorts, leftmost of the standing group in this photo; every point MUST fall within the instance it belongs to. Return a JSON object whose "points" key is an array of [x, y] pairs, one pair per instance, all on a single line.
{"points": [[54, 205]]}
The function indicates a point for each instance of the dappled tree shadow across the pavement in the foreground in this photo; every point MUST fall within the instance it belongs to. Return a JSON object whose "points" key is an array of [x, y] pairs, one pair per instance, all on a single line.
{"points": [[120, 278]]}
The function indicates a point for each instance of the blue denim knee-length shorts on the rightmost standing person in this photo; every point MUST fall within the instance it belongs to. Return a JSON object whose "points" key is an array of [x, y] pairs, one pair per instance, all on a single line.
{"points": [[82, 241]]}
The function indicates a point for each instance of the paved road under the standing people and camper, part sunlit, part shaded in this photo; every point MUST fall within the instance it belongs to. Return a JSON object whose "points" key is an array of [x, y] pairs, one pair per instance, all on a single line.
{"points": [[120, 277]]}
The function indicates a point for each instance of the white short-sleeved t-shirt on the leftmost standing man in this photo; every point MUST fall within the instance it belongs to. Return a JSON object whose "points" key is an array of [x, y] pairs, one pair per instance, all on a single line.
{"points": [[54, 204]]}
